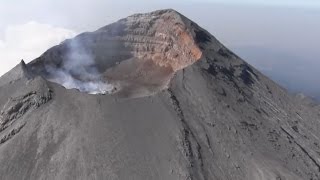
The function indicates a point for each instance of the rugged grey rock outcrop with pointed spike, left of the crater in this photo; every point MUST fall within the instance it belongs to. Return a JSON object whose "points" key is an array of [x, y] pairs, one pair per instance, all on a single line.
{"points": [[14, 113]]}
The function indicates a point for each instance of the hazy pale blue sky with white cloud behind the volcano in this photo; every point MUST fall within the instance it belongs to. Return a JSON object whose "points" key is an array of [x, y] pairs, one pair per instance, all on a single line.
{"points": [[267, 33]]}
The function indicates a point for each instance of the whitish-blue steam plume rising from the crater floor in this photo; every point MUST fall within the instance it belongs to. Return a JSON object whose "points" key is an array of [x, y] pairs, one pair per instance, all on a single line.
{"points": [[79, 71]]}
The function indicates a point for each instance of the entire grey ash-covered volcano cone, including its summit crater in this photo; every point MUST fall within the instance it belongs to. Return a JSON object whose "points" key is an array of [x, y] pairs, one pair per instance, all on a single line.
{"points": [[179, 105]]}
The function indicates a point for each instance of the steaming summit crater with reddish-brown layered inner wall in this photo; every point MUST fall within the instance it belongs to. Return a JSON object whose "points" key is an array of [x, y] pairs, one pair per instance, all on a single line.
{"points": [[136, 56]]}
